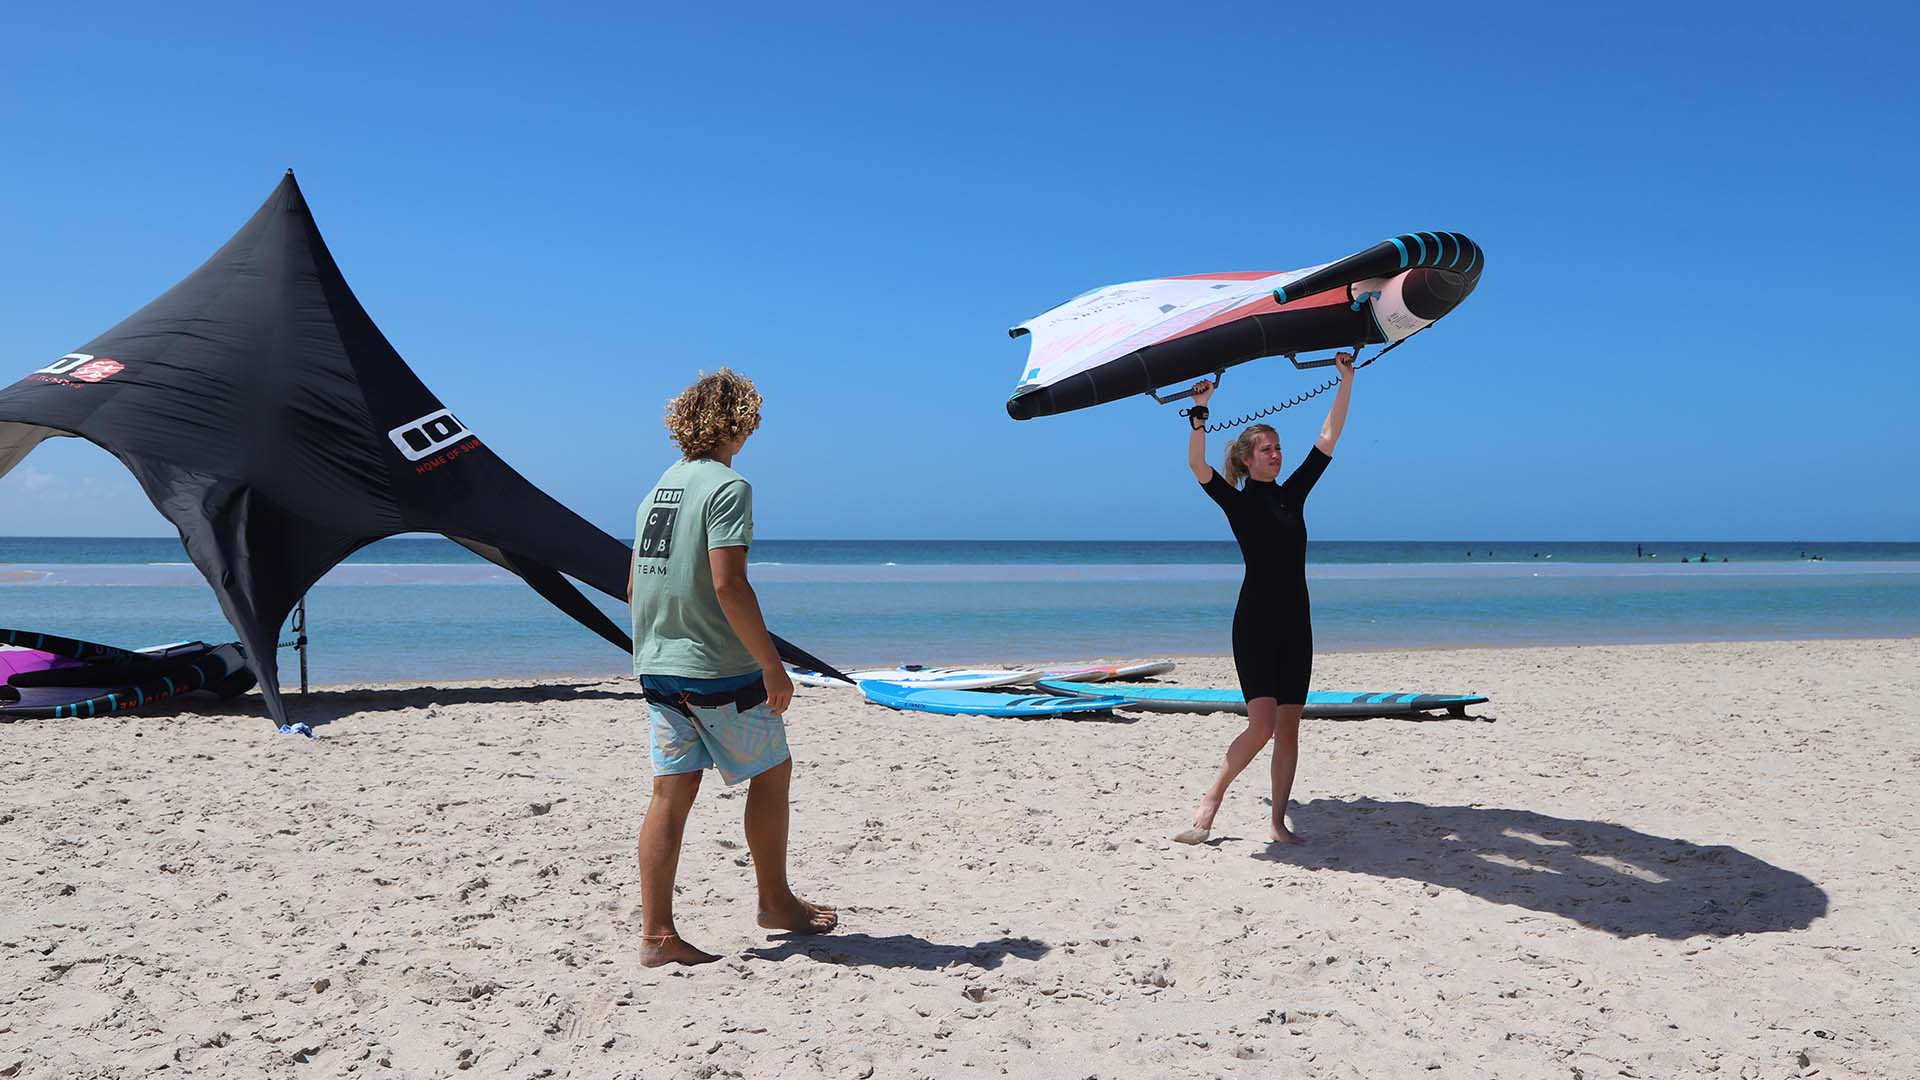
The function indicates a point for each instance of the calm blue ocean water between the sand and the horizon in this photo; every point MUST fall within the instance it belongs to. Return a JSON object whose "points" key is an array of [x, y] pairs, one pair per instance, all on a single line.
{"points": [[429, 610]]}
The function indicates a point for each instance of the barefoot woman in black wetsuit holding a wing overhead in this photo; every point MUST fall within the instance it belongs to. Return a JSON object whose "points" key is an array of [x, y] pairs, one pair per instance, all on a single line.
{"points": [[1272, 624]]}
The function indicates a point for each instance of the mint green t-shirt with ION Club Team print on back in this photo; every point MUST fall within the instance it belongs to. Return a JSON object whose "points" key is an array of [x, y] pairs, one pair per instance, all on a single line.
{"points": [[679, 626]]}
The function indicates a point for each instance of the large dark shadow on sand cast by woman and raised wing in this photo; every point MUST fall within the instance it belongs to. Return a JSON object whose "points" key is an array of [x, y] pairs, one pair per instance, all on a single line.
{"points": [[1600, 875]]}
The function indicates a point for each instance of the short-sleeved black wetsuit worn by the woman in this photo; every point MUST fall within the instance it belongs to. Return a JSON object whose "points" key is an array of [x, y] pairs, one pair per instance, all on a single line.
{"points": [[1274, 622]]}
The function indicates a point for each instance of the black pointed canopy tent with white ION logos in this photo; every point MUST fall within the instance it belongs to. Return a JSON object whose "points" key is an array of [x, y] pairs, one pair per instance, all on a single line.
{"points": [[277, 430]]}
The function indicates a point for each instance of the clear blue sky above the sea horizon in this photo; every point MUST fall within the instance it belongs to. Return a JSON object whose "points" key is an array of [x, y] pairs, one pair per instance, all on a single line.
{"points": [[1700, 228]]}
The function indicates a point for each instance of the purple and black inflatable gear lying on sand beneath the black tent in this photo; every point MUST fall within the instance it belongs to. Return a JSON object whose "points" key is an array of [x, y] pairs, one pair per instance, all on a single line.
{"points": [[53, 677]]}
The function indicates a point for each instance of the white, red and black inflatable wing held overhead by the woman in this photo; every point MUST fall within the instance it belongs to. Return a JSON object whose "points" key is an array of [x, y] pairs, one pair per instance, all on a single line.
{"points": [[1128, 339]]}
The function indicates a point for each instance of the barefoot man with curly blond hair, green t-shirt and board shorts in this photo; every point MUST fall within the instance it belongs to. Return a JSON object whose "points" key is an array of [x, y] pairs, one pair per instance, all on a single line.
{"points": [[713, 681]]}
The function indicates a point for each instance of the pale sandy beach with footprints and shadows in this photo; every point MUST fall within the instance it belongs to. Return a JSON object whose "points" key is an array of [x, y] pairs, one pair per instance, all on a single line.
{"points": [[1635, 862]]}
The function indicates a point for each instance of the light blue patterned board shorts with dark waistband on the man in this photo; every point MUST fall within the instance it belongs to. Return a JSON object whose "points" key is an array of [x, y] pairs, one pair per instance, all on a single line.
{"points": [[713, 724]]}
